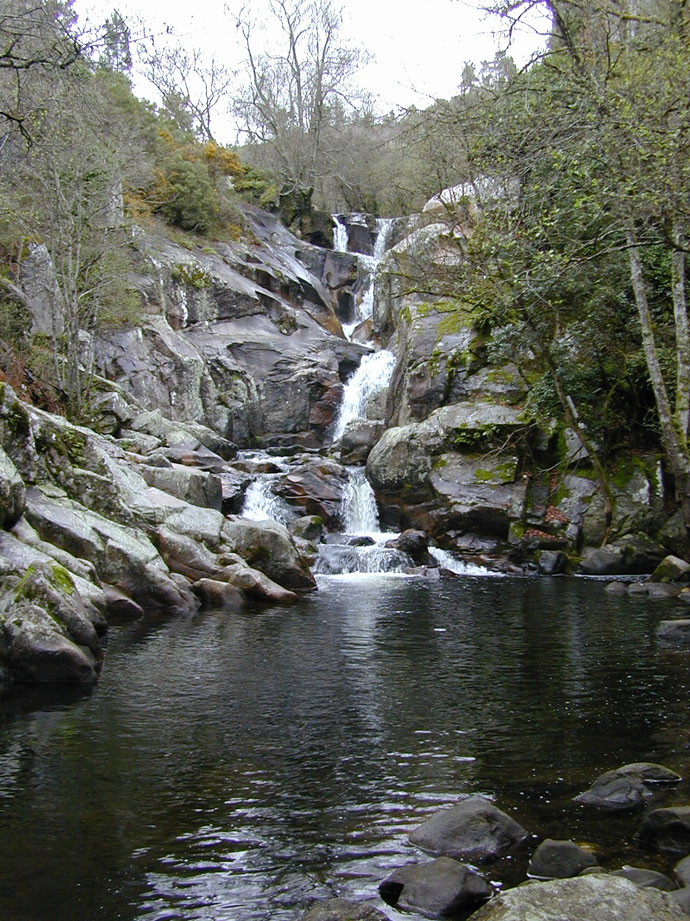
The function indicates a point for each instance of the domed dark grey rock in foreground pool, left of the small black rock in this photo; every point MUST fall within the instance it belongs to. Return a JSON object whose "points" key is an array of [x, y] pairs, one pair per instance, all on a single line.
{"points": [[474, 829]]}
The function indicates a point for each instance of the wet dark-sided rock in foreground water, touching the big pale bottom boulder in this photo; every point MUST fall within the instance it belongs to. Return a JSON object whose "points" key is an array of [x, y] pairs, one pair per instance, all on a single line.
{"points": [[442, 887]]}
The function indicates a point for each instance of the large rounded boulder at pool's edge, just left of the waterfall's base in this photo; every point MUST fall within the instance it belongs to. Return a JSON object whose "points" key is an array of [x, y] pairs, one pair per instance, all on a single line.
{"points": [[268, 547]]}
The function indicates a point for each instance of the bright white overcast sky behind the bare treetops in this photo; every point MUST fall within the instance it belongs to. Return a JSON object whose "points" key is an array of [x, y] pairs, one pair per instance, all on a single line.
{"points": [[419, 48]]}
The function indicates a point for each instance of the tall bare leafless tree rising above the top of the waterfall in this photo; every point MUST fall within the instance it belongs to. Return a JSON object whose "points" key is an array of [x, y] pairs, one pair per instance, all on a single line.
{"points": [[293, 94]]}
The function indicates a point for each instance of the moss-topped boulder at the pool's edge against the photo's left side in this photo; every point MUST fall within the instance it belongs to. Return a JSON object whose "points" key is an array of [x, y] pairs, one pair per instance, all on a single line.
{"points": [[45, 634]]}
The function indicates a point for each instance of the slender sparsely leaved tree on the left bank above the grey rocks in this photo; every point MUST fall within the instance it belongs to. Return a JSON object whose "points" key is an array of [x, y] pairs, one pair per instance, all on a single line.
{"points": [[62, 227]]}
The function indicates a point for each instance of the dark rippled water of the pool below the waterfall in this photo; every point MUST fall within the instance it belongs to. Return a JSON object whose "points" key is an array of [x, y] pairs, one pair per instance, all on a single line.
{"points": [[239, 766]]}
